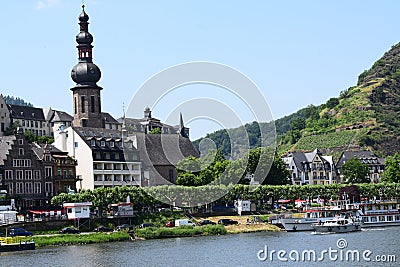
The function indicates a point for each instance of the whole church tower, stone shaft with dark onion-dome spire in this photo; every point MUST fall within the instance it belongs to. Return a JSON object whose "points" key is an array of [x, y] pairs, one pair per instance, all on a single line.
{"points": [[86, 93]]}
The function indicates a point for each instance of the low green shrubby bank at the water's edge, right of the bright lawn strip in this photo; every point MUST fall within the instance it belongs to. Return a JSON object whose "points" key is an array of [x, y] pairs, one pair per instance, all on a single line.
{"points": [[182, 231]]}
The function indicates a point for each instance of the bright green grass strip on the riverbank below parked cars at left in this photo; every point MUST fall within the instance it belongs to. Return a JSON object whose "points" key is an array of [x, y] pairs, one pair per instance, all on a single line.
{"points": [[75, 239]]}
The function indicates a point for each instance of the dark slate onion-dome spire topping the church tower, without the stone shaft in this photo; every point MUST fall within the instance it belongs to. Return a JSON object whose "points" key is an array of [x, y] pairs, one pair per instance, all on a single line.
{"points": [[85, 73]]}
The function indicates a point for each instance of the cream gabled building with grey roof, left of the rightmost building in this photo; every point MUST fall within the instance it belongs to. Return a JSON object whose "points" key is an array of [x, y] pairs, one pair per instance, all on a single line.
{"points": [[311, 168]]}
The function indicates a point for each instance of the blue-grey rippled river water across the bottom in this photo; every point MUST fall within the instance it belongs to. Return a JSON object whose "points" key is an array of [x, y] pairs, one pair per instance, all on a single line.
{"points": [[229, 250]]}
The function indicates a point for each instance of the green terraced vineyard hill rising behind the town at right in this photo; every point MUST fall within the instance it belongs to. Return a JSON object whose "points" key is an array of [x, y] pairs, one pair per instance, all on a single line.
{"points": [[365, 115]]}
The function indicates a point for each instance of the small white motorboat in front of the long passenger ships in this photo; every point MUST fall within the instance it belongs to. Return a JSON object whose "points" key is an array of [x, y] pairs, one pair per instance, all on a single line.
{"points": [[342, 224]]}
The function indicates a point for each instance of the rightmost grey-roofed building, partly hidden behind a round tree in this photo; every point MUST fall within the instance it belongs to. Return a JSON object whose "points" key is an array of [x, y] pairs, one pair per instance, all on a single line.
{"points": [[376, 165]]}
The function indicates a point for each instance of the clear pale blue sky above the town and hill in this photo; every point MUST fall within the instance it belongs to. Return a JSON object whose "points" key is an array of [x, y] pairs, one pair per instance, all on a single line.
{"points": [[296, 52]]}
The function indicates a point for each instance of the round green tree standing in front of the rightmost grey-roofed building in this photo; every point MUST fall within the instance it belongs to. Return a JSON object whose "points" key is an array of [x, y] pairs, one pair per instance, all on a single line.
{"points": [[355, 171]]}
